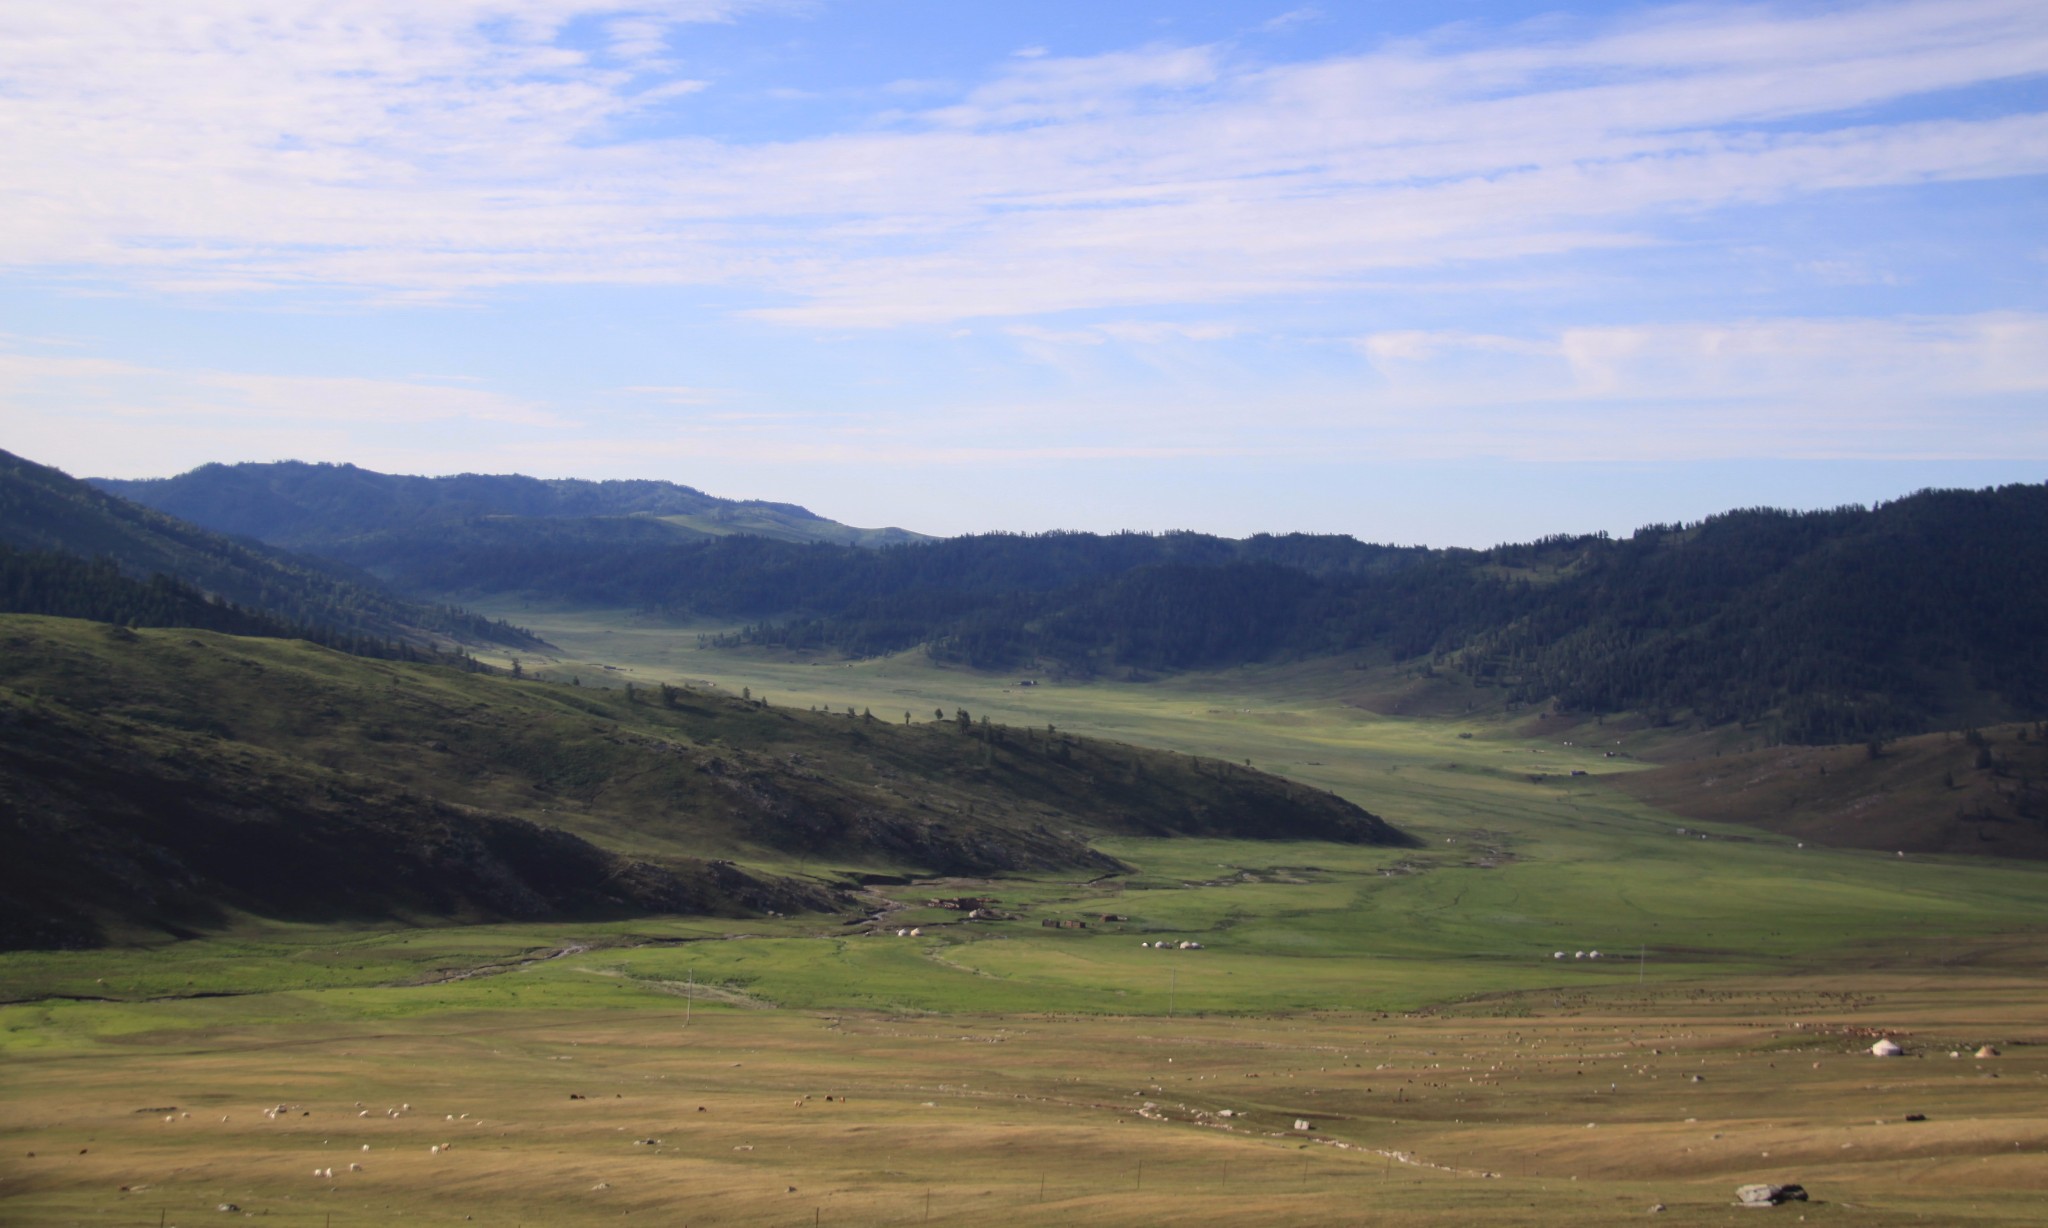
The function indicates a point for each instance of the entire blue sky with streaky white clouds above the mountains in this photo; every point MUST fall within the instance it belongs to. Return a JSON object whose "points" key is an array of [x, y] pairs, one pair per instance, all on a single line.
{"points": [[1422, 273]]}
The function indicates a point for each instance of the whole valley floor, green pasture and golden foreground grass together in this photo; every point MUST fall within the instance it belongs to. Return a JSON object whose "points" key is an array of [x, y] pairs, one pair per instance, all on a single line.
{"points": [[1367, 1035]]}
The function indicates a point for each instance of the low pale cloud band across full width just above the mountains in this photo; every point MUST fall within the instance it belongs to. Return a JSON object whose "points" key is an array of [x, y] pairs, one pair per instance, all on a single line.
{"points": [[1965, 388]]}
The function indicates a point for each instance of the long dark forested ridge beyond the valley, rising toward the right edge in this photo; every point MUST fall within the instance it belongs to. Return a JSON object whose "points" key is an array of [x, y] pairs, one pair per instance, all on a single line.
{"points": [[1818, 627]]}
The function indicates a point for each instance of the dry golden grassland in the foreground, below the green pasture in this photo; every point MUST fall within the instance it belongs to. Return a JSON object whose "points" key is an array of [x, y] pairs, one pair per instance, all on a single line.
{"points": [[1547, 1108]]}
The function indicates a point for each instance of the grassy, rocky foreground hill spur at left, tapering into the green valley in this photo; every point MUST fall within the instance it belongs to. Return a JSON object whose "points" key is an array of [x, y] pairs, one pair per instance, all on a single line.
{"points": [[159, 777]]}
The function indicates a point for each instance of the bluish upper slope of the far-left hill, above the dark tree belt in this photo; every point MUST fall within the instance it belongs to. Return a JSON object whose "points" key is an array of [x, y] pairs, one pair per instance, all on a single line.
{"points": [[46, 511]]}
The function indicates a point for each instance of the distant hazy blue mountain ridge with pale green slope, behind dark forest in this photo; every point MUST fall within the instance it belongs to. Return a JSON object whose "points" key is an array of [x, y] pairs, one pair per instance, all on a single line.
{"points": [[298, 505]]}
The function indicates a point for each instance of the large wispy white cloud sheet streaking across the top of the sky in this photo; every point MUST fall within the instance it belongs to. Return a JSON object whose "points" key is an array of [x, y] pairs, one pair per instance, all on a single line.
{"points": [[402, 150]]}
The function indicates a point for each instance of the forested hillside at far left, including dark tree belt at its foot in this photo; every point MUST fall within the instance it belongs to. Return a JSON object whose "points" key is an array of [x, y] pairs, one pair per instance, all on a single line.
{"points": [[46, 515]]}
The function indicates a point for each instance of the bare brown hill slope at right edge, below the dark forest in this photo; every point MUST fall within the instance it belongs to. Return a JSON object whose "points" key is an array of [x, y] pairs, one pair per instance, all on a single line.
{"points": [[1947, 793]]}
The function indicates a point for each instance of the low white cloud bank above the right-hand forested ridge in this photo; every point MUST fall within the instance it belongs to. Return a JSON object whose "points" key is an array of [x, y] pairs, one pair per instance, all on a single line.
{"points": [[1910, 388]]}
